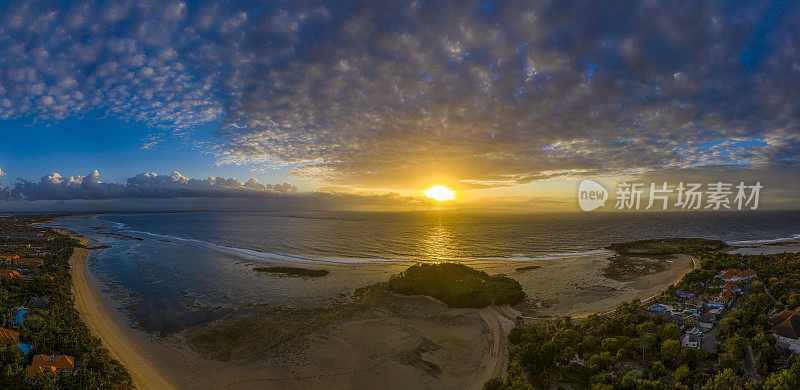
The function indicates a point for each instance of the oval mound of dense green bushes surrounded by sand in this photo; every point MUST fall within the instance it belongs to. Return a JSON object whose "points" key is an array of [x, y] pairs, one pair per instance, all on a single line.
{"points": [[457, 285]]}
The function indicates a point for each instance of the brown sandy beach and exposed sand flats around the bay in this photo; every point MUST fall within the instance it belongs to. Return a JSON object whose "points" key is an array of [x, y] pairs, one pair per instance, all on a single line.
{"points": [[415, 342]]}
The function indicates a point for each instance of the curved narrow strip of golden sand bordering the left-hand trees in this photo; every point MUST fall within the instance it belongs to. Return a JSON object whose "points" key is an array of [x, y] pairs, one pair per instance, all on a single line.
{"points": [[97, 318]]}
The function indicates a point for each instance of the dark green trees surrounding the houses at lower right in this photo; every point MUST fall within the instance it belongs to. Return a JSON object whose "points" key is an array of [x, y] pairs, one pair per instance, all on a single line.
{"points": [[636, 349]]}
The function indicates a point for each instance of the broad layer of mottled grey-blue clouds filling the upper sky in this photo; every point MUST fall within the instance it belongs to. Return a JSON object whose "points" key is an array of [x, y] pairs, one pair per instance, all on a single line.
{"points": [[398, 93]]}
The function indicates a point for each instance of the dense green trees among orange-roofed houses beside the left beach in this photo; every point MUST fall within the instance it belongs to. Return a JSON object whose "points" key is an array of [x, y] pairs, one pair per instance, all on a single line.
{"points": [[52, 324]]}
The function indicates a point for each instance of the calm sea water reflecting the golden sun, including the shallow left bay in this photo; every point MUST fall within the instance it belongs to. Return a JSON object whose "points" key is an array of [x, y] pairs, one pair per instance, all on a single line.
{"points": [[174, 270]]}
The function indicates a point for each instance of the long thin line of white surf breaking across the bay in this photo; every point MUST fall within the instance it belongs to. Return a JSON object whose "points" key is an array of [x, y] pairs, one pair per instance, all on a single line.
{"points": [[358, 260]]}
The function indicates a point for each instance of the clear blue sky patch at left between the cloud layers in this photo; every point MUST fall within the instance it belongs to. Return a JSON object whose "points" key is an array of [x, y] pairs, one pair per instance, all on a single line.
{"points": [[113, 146]]}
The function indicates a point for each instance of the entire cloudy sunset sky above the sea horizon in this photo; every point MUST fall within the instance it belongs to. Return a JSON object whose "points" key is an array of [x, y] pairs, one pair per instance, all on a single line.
{"points": [[107, 104]]}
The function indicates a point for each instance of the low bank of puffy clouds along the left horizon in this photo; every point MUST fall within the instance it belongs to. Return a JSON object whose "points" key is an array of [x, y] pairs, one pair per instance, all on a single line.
{"points": [[144, 185]]}
